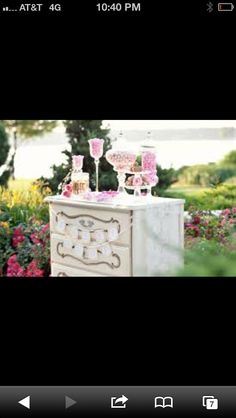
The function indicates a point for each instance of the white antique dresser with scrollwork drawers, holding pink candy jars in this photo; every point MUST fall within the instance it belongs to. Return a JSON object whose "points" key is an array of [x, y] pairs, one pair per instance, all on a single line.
{"points": [[141, 237]]}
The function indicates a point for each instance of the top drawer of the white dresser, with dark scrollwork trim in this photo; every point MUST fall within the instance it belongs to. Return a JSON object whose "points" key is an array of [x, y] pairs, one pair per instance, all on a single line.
{"points": [[70, 220]]}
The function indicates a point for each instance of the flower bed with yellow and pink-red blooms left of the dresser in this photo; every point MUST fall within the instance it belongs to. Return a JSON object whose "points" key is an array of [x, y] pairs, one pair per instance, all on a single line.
{"points": [[24, 215]]}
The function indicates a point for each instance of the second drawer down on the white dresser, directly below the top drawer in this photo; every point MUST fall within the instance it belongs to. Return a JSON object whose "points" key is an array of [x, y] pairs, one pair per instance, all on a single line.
{"points": [[65, 251]]}
